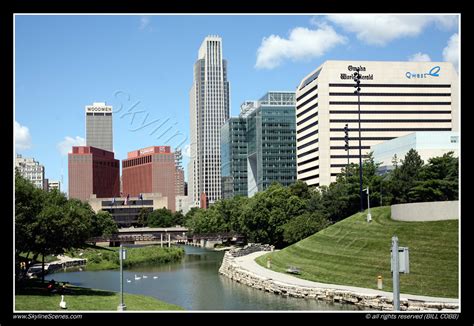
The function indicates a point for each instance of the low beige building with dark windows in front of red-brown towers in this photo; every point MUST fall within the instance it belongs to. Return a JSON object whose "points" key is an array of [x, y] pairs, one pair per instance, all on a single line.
{"points": [[126, 211]]}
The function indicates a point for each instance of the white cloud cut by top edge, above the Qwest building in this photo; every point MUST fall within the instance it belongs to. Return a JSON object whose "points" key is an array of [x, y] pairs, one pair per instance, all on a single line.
{"points": [[381, 29]]}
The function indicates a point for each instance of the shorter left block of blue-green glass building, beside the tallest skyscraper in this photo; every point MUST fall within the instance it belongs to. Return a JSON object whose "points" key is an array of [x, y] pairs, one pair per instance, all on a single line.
{"points": [[234, 157]]}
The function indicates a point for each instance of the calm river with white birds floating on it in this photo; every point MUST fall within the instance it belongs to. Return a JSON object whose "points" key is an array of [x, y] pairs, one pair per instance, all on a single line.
{"points": [[194, 284]]}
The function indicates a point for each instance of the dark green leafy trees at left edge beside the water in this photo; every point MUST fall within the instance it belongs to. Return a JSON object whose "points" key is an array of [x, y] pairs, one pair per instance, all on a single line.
{"points": [[47, 223]]}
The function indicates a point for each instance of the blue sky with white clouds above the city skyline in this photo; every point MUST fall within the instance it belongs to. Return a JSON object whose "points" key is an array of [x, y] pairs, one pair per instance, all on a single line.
{"points": [[142, 65]]}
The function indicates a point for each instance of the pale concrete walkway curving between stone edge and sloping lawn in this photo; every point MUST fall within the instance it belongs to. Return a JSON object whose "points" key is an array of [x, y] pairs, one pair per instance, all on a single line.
{"points": [[248, 263]]}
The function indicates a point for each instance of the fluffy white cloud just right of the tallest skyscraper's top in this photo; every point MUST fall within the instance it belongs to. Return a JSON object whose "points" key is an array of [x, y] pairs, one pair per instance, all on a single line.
{"points": [[302, 44]]}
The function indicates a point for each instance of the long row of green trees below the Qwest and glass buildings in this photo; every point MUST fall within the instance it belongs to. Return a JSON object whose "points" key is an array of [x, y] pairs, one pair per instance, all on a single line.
{"points": [[284, 215]]}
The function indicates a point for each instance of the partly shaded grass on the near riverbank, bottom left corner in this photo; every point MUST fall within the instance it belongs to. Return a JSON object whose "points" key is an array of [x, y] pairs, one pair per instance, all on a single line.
{"points": [[32, 296]]}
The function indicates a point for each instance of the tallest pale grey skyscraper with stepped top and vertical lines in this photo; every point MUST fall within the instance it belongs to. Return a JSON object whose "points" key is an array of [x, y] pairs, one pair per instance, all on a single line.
{"points": [[209, 109]]}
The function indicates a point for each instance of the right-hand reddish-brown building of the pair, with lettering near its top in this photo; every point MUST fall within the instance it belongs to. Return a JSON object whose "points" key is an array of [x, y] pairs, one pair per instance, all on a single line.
{"points": [[150, 170]]}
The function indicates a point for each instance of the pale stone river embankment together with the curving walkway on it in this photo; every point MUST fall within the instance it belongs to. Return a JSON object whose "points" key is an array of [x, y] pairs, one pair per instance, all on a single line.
{"points": [[282, 284]]}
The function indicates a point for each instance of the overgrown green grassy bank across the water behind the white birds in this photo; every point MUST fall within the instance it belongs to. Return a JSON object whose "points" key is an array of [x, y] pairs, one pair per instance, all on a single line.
{"points": [[100, 258]]}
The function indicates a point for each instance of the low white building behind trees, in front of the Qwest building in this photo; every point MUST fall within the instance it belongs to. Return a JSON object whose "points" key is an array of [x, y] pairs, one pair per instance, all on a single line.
{"points": [[428, 144]]}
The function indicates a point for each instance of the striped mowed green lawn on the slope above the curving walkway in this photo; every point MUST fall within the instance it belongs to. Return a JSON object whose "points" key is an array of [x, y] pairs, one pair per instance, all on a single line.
{"points": [[354, 252]]}
